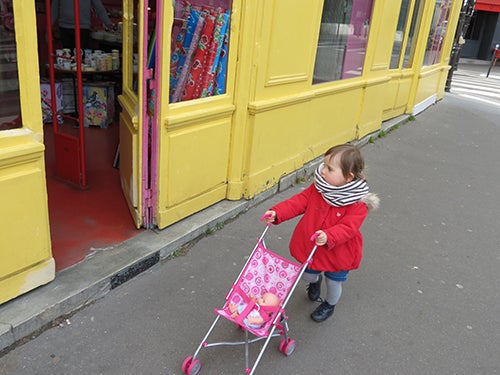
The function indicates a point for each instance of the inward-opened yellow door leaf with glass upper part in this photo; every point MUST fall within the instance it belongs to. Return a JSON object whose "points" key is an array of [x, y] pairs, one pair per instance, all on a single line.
{"points": [[134, 117]]}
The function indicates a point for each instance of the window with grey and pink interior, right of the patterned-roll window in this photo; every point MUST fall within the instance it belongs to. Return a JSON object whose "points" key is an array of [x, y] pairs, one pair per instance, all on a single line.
{"points": [[342, 40]]}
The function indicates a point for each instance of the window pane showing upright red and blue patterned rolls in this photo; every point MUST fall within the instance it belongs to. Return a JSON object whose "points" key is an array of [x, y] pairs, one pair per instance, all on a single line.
{"points": [[199, 50]]}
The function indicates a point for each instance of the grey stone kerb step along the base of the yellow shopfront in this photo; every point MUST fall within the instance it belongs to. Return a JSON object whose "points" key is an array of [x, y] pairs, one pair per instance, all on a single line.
{"points": [[76, 287]]}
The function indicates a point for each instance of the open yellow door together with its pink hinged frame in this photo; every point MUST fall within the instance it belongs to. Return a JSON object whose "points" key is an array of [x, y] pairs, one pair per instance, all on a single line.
{"points": [[137, 117]]}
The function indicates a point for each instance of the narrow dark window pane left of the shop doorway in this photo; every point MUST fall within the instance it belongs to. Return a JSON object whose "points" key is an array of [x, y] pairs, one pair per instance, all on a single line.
{"points": [[10, 109]]}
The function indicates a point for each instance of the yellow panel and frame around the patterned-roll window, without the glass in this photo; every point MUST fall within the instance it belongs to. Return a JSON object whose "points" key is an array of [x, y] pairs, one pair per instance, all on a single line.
{"points": [[194, 140]]}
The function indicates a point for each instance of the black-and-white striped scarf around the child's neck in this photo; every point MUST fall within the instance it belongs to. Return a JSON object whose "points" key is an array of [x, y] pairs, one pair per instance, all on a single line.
{"points": [[339, 196]]}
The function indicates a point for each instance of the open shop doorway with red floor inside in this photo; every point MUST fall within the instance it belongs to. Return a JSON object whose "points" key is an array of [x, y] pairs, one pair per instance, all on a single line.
{"points": [[96, 218]]}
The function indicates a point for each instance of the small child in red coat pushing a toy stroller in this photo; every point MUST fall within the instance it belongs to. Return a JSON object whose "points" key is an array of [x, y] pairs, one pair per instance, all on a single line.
{"points": [[333, 208]]}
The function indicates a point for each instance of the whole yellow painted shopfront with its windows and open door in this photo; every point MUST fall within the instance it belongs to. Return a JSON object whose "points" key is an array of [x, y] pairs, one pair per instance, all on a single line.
{"points": [[298, 76]]}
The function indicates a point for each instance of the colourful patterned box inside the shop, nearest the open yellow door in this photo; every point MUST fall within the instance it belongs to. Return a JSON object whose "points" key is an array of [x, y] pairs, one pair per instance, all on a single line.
{"points": [[98, 104]]}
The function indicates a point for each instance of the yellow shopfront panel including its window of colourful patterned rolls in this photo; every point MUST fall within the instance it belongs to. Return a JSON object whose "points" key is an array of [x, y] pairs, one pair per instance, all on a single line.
{"points": [[195, 117]]}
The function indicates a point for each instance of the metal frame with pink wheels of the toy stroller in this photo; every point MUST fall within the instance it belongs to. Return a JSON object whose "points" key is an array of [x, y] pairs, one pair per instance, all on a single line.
{"points": [[278, 321]]}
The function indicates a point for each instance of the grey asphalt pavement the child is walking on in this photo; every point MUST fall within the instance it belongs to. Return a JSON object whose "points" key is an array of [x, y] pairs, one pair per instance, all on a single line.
{"points": [[424, 301]]}
